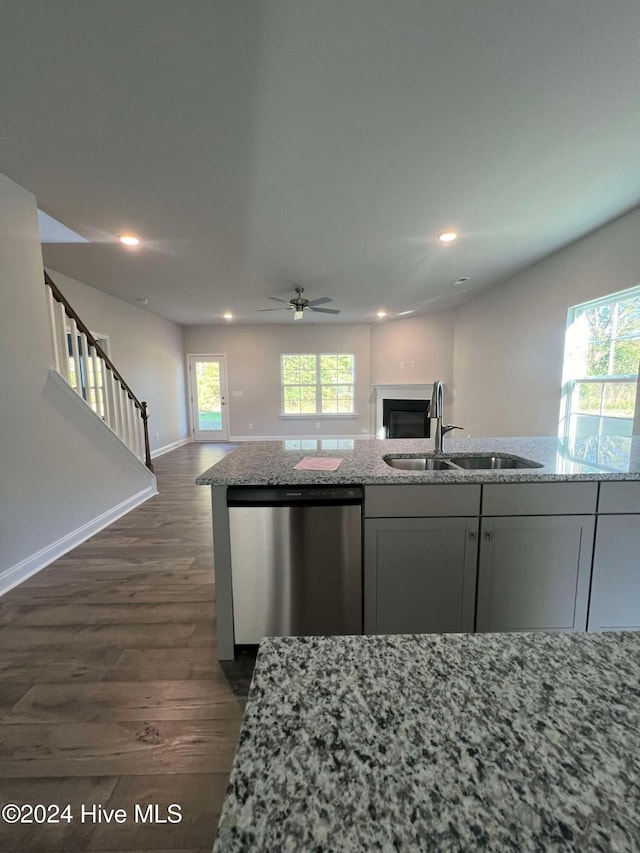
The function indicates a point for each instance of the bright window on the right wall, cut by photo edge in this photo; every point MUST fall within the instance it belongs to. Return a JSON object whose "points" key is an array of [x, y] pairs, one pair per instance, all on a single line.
{"points": [[600, 376]]}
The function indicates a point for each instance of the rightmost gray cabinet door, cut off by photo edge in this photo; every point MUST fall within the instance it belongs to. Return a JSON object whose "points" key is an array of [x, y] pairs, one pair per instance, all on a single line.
{"points": [[615, 589]]}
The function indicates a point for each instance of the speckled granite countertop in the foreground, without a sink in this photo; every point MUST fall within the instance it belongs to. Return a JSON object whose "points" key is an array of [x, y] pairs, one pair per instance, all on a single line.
{"points": [[524, 742]]}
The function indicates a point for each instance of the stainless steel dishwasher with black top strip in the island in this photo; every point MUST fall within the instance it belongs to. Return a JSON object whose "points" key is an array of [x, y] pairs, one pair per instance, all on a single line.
{"points": [[296, 561]]}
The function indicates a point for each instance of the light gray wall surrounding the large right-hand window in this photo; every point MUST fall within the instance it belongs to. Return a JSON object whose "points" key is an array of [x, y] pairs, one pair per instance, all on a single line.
{"points": [[509, 342]]}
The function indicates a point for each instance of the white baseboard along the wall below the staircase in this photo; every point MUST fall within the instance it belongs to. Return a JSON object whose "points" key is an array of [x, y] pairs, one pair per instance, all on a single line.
{"points": [[15, 575]]}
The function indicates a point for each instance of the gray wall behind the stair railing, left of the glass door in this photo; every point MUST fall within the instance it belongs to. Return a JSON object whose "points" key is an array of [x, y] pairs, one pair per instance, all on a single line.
{"points": [[147, 350]]}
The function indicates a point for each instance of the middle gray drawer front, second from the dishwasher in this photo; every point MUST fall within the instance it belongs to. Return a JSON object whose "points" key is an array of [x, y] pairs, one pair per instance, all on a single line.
{"points": [[539, 498]]}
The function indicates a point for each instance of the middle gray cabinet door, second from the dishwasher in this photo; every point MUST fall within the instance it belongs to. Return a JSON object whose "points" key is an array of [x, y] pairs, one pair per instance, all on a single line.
{"points": [[534, 573]]}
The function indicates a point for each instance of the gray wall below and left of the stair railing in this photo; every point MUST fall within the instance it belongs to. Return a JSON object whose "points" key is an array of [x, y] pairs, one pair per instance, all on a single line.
{"points": [[56, 473]]}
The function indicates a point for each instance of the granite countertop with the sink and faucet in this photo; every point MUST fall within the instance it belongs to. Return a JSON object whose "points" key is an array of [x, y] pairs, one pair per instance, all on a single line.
{"points": [[270, 463]]}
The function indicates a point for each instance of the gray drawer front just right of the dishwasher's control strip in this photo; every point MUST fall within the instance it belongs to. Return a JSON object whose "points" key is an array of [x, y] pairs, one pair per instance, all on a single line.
{"points": [[420, 501]]}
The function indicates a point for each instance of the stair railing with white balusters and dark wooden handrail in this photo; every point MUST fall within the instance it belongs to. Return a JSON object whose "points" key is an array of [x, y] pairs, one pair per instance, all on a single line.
{"points": [[80, 359]]}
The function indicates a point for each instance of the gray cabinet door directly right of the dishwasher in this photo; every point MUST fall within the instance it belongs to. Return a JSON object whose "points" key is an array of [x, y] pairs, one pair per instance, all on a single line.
{"points": [[420, 575]]}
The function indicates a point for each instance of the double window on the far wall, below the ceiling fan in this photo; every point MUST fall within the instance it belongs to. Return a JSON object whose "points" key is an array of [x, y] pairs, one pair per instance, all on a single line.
{"points": [[318, 384]]}
